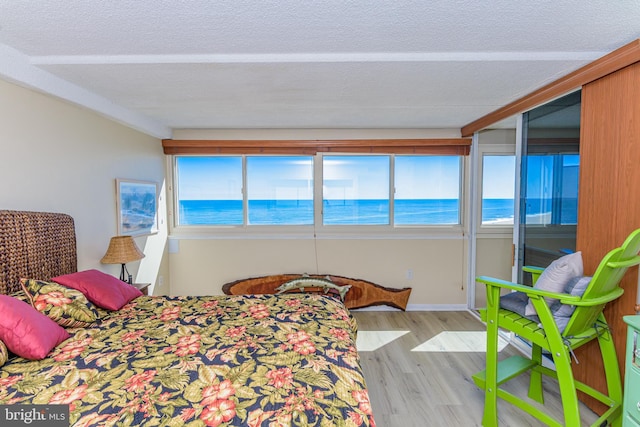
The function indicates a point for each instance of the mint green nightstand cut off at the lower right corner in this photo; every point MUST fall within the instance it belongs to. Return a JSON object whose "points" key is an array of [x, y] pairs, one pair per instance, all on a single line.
{"points": [[631, 406]]}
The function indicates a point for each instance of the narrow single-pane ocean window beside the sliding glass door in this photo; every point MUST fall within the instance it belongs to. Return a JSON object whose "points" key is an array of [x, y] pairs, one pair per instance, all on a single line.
{"points": [[498, 189]]}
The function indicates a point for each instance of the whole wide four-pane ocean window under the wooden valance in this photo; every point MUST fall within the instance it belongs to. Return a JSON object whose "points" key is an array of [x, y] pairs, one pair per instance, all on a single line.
{"points": [[353, 190]]}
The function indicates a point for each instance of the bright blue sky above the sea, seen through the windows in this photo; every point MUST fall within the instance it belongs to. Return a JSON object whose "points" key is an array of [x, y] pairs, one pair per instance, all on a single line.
{"points": [[350, 177]]}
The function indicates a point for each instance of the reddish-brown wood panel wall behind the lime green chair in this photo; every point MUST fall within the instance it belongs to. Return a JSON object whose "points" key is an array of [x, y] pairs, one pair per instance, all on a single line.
{"points": [[609, 199]]}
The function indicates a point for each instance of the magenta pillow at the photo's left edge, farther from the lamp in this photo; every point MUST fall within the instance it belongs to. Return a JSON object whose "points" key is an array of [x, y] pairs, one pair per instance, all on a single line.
{"points": [[27, 332]]}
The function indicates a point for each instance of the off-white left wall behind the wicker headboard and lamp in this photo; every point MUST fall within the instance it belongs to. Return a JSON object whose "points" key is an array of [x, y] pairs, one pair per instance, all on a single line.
{"points": [[58, 157]]}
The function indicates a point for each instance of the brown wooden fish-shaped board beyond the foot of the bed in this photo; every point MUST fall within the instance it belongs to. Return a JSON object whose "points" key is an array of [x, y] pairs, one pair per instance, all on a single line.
{"points": [[362, 293]]}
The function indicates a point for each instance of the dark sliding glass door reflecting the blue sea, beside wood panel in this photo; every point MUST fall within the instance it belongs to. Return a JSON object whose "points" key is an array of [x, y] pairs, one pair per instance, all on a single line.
{"points": [[549, 182]]}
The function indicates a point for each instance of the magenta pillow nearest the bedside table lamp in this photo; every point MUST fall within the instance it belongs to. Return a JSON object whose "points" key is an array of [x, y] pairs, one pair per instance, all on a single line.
{"points": [[100, 288]]}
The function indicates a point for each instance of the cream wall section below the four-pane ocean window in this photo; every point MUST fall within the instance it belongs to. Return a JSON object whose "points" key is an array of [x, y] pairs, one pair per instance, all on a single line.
{"points": [[202, 266]]}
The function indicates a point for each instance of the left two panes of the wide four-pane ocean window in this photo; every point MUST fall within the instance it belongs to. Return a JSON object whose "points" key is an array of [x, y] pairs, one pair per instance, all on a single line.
{"points": [[279, 190]]}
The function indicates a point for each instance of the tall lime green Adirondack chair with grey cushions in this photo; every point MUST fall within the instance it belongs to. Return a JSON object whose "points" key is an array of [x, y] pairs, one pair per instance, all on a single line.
{"points": [[587, 323]]}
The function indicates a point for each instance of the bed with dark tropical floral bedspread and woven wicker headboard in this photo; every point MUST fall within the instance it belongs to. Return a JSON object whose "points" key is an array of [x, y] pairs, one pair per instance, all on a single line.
{"points": [[241, 360]]}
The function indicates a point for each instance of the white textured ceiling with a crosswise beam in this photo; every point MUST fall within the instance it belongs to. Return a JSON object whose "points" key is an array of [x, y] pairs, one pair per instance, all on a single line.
{"points": [[158, 65]]}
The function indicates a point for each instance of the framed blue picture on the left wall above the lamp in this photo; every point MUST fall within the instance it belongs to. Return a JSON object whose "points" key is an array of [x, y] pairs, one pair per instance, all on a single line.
{"points": [[137, 206]]}
